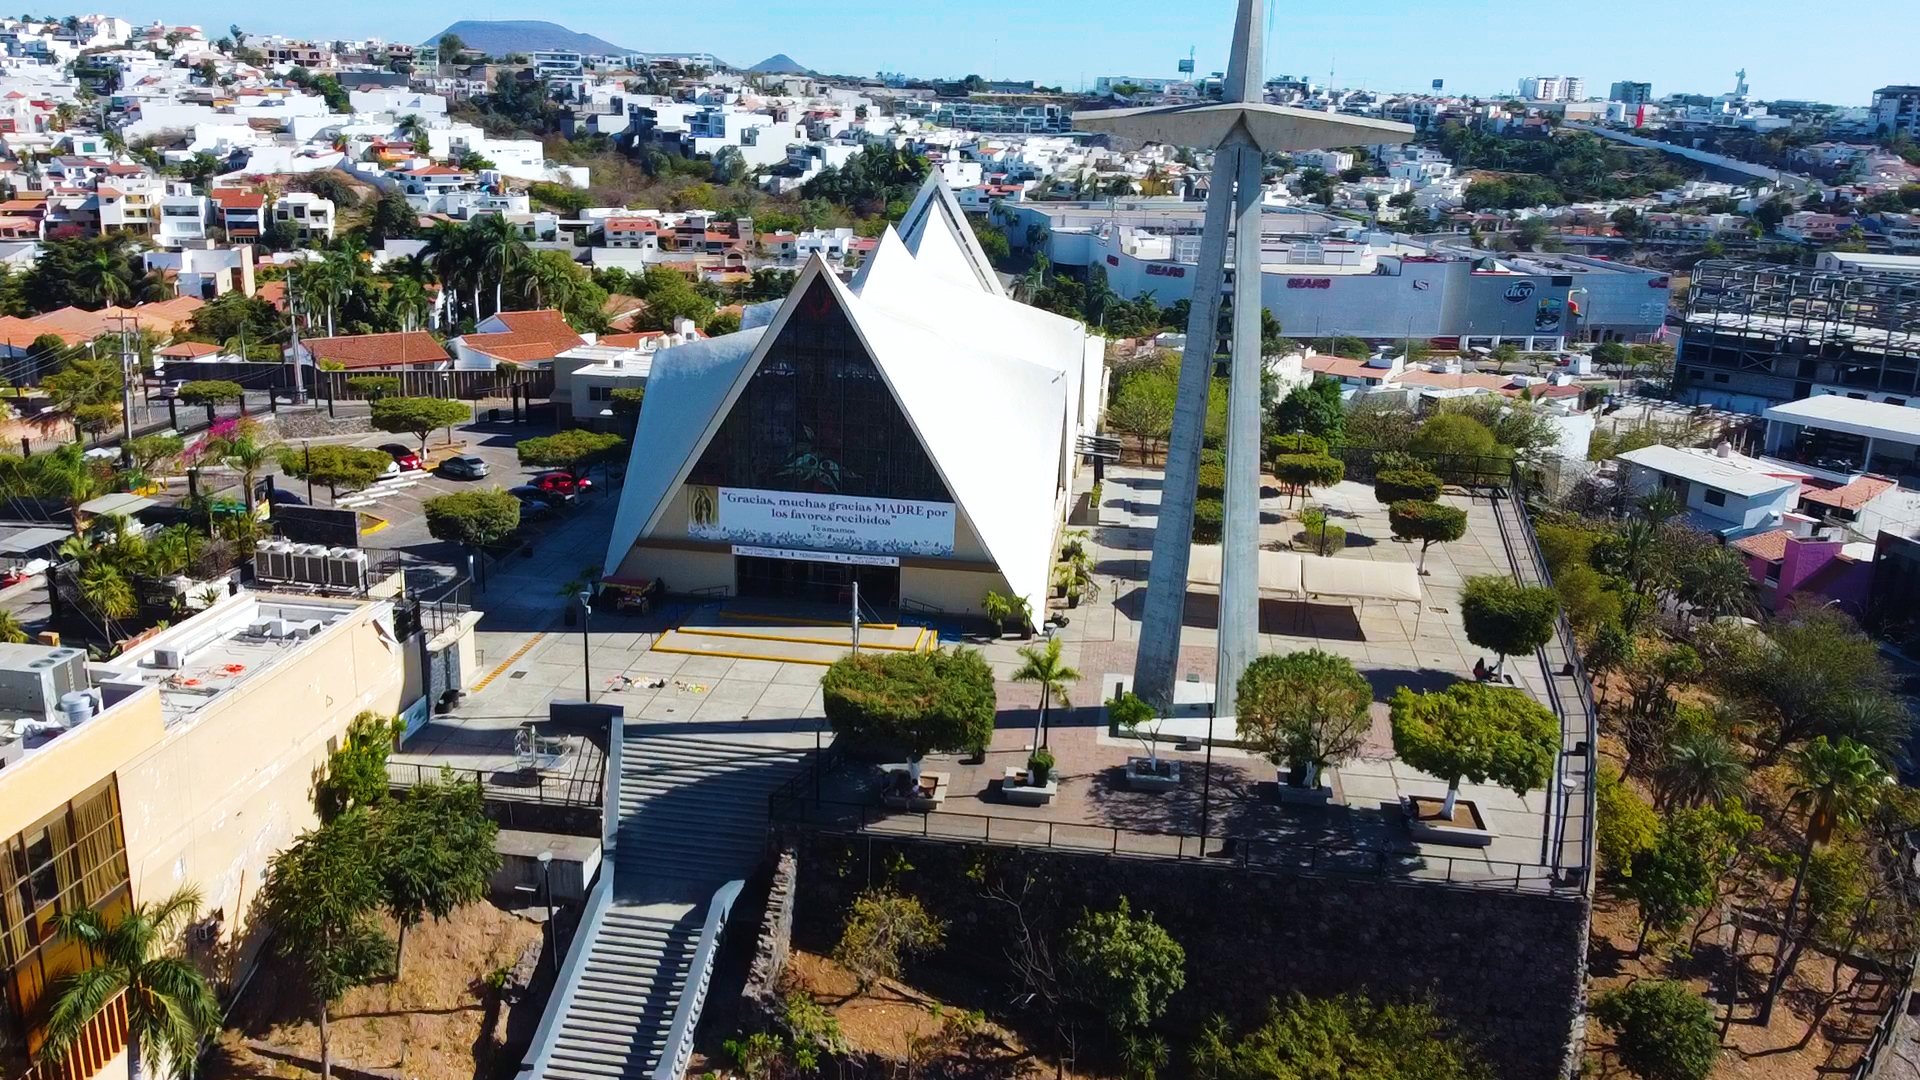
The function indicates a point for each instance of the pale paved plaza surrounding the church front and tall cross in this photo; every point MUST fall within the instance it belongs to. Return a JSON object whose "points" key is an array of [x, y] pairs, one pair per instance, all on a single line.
{"points": [[531, 658]]}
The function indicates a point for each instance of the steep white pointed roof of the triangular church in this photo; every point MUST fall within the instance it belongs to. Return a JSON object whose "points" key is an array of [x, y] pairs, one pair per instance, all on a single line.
{"points": [[992, 389]]}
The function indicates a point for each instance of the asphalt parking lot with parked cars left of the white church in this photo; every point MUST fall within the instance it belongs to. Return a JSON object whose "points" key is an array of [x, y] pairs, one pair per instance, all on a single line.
{"points": [[396, 504]]}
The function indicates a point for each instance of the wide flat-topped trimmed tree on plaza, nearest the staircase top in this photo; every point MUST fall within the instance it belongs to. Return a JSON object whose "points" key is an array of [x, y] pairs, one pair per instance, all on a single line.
{"points": [[926, 702]]}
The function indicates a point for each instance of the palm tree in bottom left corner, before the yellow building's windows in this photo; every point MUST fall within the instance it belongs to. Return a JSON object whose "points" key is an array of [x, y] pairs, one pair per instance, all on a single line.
{"points": [[170, 1006]]}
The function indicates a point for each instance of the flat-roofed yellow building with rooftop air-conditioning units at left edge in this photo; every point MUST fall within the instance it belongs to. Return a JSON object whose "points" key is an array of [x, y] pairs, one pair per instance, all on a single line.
{"points": [[189, 760]]}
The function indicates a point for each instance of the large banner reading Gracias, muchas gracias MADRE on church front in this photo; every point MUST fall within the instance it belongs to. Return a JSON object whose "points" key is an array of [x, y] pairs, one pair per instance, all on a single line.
{"points": [[823, 522]]}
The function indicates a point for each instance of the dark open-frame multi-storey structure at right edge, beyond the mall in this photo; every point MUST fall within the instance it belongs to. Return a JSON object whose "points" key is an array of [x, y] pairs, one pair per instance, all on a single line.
{"points": [[1806, 326]]}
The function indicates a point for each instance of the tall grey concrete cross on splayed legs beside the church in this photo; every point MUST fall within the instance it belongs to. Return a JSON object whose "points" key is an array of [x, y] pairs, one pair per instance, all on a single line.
{"points": [[1241, 130]]}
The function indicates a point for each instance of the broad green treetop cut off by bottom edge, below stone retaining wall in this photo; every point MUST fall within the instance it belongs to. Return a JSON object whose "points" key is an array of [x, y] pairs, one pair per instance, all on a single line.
{"points": [[1339, 1039]]}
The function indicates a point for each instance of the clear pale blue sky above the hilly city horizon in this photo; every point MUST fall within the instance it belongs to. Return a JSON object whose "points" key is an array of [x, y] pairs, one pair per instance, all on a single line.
{"points": [[1790, 51]]}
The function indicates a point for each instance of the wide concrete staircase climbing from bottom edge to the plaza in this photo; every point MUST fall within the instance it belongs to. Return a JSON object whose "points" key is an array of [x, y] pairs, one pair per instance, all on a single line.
{"points": [[692, 820]]}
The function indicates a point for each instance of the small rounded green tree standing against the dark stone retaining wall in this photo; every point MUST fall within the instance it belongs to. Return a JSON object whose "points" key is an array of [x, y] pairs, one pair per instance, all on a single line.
{"points": [[1124, 966]]}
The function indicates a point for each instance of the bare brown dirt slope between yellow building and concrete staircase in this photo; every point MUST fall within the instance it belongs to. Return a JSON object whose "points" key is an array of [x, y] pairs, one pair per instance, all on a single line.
{"points": [[423, 1027]]}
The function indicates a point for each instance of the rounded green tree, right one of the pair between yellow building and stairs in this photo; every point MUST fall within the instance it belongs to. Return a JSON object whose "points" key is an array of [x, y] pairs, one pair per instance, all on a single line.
{"points": [[435, 850]]}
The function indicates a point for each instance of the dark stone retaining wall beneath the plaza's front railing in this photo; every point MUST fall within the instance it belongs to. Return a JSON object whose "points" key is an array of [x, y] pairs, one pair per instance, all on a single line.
{"points": [[1508, 968]]}
